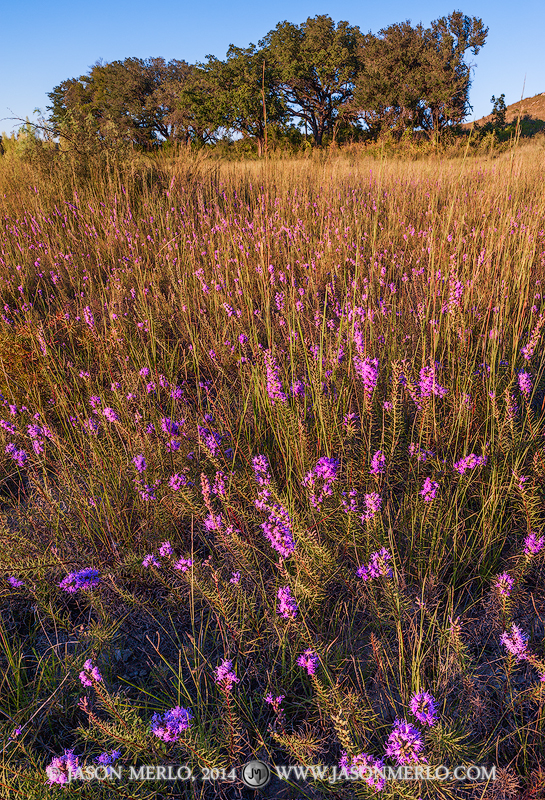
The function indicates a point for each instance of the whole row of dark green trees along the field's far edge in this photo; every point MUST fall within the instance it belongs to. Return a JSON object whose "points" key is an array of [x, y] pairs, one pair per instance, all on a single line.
{"points": [[329, 79]]}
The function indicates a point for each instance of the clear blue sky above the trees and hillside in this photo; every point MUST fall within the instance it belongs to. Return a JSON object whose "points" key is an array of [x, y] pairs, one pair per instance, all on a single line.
{"points": [[42, 44]]}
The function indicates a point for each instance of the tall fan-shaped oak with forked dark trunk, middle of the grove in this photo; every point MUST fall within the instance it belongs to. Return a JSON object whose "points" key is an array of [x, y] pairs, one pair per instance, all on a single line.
{"points": [[315, 64]]}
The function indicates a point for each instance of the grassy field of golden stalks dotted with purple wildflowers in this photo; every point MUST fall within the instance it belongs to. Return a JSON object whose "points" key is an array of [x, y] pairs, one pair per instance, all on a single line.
{"points": [[272, 475]]}
